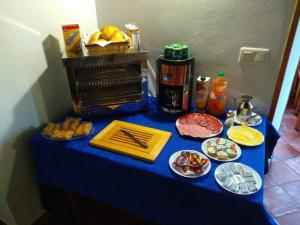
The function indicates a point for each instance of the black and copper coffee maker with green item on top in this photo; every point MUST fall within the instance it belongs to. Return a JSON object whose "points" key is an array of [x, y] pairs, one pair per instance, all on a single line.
{"points": [[175, 79]]}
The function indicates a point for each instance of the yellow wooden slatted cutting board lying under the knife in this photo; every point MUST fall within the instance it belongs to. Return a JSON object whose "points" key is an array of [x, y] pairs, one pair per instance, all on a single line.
{"points": [[113, 139]]}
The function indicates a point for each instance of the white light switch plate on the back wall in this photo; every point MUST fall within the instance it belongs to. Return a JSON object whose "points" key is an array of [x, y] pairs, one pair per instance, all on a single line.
{"points": [[254, 55]]}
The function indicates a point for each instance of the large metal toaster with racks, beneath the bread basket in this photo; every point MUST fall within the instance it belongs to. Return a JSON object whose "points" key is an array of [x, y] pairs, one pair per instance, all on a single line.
{"points": [[98, 82]]}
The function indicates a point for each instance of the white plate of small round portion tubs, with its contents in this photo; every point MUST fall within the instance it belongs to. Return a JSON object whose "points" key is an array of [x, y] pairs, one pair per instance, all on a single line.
{"points": [[221, 149]]}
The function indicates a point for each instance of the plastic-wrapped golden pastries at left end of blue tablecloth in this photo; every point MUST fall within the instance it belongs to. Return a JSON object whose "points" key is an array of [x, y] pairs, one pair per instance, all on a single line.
{"points": [[72, 128]]}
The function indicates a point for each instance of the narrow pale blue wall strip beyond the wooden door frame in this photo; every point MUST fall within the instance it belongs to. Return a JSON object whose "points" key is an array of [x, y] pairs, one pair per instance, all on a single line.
{"points": [[288, 79]]}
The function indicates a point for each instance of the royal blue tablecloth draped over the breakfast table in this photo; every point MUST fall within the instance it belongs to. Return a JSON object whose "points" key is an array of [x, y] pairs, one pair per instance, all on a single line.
{"points": [[150, 190]]}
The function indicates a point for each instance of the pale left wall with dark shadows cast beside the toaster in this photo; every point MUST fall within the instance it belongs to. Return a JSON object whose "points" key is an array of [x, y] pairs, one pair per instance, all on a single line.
{"points": [[33, 90]]}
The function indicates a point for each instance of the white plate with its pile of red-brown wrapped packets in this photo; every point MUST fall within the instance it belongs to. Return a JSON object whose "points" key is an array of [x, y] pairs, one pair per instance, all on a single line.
{"points": [[189, 163]]}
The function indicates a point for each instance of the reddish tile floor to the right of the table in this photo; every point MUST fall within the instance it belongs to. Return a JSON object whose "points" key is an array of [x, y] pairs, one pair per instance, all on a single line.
{"points": [[282, 183]]}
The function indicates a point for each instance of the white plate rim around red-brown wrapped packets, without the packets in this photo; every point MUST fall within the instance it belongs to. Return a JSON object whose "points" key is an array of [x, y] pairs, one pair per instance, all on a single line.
{"points": [[177, 171]]}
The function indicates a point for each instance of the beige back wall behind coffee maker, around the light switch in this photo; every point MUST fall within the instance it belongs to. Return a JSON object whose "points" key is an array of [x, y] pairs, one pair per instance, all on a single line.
{"points": [[215, 30]]}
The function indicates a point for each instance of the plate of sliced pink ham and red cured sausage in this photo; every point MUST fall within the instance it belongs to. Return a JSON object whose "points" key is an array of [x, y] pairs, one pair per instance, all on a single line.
{"points": [[199, 125]]}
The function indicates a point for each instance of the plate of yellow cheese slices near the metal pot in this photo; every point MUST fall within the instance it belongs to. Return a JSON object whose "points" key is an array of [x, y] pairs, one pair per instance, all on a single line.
{"points": [[245, 135]]}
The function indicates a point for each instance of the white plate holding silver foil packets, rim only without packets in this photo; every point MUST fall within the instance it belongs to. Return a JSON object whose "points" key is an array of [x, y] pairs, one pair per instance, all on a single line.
{"points": [[245, 167]]}
